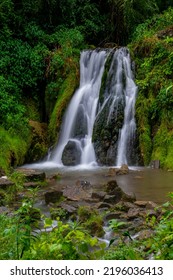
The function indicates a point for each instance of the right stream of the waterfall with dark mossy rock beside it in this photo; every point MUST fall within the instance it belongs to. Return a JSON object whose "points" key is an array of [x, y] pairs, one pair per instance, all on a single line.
{"points": [[116, 114]]}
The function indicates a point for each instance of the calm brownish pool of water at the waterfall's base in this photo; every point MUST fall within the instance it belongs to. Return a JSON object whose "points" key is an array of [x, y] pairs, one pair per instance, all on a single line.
{"points": [[145, 183]]}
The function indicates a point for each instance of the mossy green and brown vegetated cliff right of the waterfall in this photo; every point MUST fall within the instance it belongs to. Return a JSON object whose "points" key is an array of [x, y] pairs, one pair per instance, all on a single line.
{"points": [[152, 49]]}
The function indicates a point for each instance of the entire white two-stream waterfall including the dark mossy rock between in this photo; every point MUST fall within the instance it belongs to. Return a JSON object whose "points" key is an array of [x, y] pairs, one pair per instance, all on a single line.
{"points": [[99, 123]]}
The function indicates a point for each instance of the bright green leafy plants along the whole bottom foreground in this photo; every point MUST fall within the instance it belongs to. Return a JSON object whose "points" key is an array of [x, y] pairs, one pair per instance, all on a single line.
{"points": [[19, 238]]}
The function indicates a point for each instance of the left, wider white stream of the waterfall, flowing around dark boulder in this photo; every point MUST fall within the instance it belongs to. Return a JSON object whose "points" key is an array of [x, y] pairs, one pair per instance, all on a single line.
{"points": [[75, 143]]}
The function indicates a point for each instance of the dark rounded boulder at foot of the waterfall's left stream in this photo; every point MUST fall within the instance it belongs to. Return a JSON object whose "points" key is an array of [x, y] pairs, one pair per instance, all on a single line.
{"points": [[71, 154]]}
